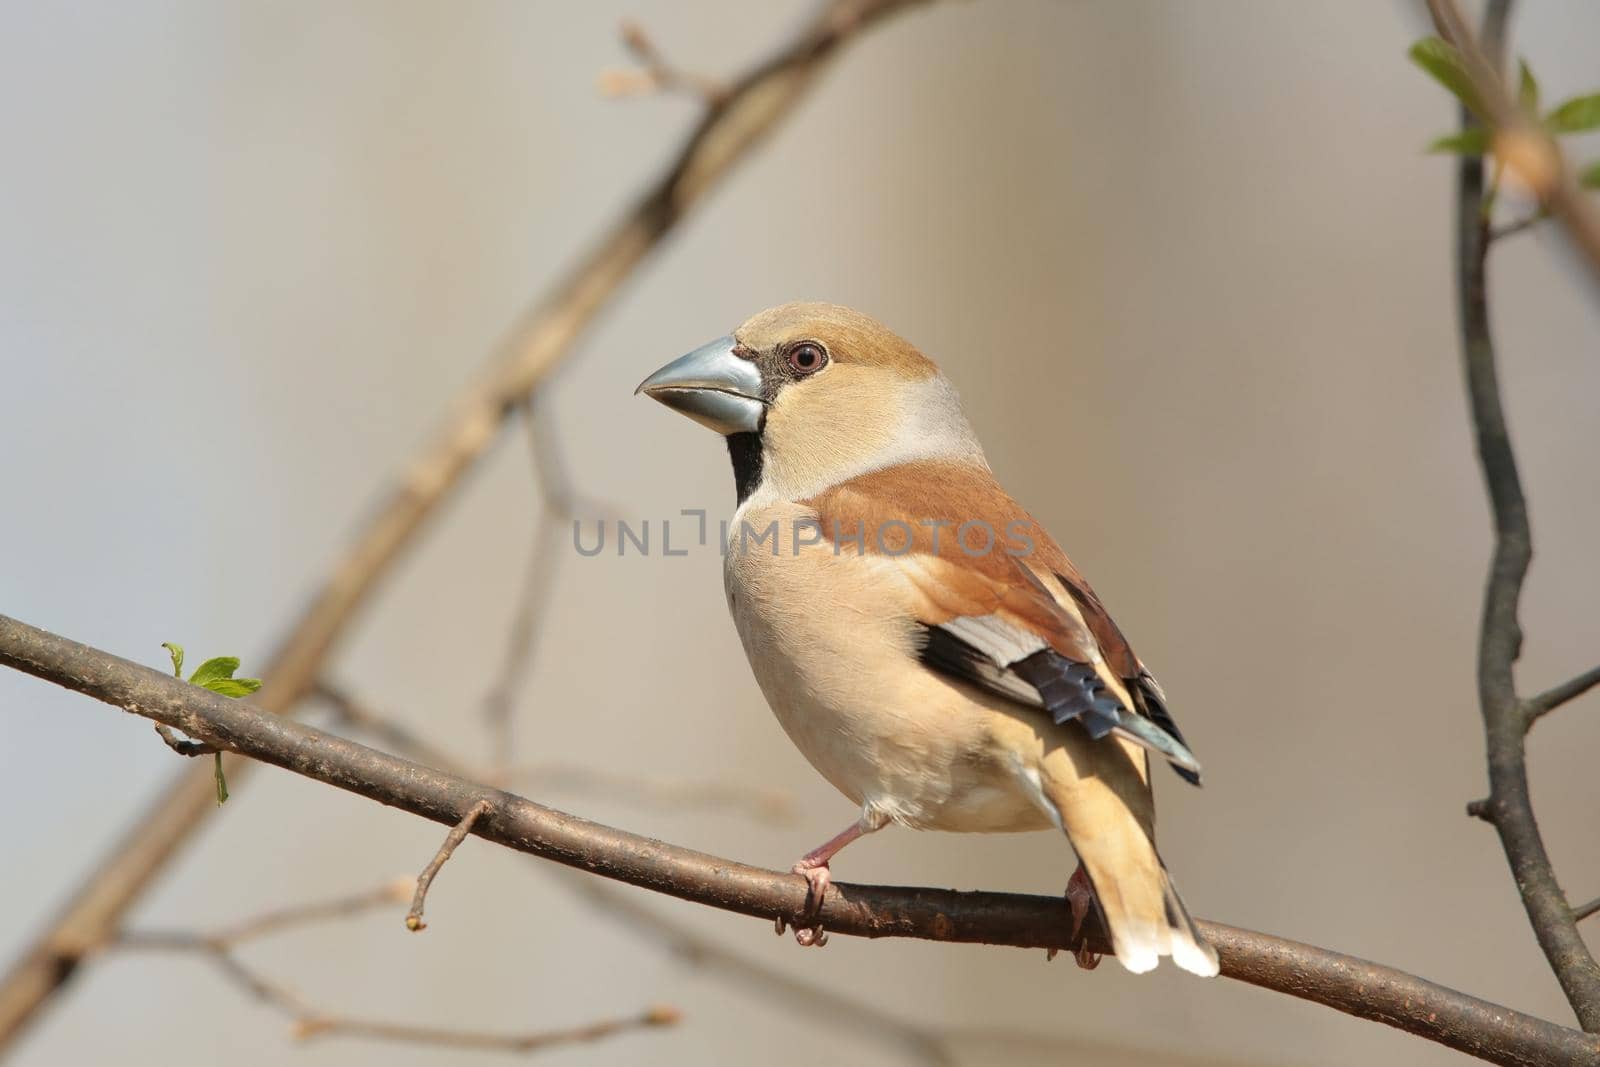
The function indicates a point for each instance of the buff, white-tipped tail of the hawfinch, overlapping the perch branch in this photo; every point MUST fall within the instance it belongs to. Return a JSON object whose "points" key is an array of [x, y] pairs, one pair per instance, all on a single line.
{"points": [[1143, 913]]}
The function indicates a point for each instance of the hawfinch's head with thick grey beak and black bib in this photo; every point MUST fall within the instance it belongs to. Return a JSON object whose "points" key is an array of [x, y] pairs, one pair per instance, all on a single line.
{"points": [[810, 396]]}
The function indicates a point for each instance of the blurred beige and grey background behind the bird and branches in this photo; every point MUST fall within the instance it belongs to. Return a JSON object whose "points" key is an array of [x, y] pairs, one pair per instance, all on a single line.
{"points": [[1188, 266]]}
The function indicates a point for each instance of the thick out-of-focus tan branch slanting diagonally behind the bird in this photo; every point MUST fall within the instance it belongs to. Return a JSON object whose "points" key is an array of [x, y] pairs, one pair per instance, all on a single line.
{"points": [[730, 129]]}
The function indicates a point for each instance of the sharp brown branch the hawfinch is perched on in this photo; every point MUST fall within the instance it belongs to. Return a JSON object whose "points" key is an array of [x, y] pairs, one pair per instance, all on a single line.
{"points": [[1348, 985]]}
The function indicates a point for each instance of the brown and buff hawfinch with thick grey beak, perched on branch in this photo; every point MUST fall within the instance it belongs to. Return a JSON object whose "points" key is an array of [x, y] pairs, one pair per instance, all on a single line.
{"points": [[927, 647]]}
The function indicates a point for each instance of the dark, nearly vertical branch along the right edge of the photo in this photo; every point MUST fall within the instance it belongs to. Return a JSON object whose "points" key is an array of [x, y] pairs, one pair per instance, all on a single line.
{"points": [[1506, 719]]}
